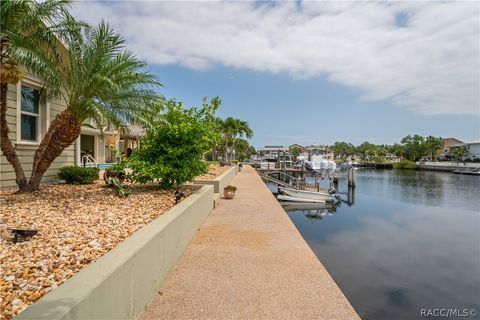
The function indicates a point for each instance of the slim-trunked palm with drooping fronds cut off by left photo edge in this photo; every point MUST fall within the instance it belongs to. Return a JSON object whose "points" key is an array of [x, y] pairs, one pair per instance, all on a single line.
{"points": [[25, 40]]}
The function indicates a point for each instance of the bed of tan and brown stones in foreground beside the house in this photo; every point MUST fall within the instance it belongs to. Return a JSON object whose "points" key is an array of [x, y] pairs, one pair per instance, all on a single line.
{"points": [[76, 225]]}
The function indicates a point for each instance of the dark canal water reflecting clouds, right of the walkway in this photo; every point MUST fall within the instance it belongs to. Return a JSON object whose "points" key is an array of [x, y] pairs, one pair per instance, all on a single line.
{"points": [[410, 241]]}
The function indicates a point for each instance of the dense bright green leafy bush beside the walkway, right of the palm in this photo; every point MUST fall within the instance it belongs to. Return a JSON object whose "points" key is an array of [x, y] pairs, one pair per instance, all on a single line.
{"points": [[172, 152]]}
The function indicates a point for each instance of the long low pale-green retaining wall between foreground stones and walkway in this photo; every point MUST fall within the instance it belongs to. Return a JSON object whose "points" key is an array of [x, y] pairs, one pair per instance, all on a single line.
{"points": [[121, 283]]}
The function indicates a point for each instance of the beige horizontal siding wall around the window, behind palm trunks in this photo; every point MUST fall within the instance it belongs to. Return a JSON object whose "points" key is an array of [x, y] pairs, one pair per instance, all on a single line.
{"points": [[26, 152]]}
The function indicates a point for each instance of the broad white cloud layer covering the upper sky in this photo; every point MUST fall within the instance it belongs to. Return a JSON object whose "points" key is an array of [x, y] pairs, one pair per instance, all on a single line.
{"points": [[428, 63]]}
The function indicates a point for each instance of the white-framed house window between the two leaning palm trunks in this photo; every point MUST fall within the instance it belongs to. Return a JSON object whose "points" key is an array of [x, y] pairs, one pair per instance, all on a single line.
{"points": [[30, 113]]}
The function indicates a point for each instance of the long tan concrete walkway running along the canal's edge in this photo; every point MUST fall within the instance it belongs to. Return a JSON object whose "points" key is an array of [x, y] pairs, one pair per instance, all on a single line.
{"points": [[248, 261]]}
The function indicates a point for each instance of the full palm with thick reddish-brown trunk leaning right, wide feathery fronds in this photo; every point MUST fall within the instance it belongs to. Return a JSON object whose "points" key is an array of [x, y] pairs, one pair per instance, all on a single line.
{"points": [[98, 79]]}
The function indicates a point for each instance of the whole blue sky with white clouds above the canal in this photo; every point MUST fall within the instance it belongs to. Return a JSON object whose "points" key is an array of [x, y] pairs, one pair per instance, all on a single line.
{"points": [[314, 72]]}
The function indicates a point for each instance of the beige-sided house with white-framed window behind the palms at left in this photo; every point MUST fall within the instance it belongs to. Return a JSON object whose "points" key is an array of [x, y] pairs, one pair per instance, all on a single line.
{"points": [[29, 118]]}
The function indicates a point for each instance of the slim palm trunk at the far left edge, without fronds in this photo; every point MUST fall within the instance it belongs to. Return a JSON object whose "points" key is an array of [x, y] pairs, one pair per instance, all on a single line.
{"points": [[6, 145]]}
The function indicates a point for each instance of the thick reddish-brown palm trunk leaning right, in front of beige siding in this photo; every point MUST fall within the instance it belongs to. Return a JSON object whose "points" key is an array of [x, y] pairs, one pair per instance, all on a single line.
{"points": [[62, 132]]}
